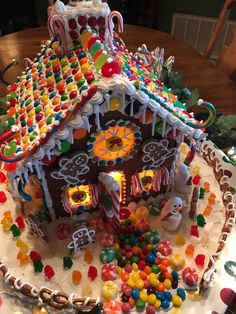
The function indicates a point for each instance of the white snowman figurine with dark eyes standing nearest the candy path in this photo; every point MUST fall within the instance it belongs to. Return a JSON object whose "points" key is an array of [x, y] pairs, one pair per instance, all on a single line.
{"points": [[171, 213]]}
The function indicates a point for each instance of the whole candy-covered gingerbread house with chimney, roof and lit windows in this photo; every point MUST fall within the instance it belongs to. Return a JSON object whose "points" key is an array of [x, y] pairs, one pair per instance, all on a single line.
{"points": [[90, 125]]}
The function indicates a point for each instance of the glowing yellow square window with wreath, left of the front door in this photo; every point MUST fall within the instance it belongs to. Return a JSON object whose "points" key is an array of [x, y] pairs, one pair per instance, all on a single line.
{"points": [[80, 195]]}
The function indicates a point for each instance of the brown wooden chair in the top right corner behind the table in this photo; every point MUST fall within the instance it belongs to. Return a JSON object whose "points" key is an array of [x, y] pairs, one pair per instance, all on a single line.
{"points": [[227, 57]]}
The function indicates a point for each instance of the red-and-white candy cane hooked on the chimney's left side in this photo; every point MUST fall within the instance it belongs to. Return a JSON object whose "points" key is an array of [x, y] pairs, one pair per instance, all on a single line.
{"points": [[56, 27]]}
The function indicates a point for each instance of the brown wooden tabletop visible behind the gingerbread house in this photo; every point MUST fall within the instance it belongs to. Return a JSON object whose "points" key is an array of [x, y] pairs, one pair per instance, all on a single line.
{"points": [[212, 84]]}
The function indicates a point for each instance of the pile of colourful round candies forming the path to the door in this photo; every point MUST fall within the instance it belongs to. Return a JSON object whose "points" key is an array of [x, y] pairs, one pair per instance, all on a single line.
{"points": [[148, 283]]}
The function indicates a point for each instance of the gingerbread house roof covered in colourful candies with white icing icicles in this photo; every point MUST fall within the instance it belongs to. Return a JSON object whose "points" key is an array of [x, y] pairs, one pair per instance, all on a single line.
{"points": [[59, 92]]}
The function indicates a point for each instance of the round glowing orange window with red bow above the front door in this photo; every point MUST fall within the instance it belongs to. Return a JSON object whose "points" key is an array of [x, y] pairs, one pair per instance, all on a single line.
{"points": [[114, 143]]}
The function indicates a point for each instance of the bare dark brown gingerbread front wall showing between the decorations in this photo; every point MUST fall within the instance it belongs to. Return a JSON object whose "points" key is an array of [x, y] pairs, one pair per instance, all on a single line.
{"points": [[129, 167]]}
